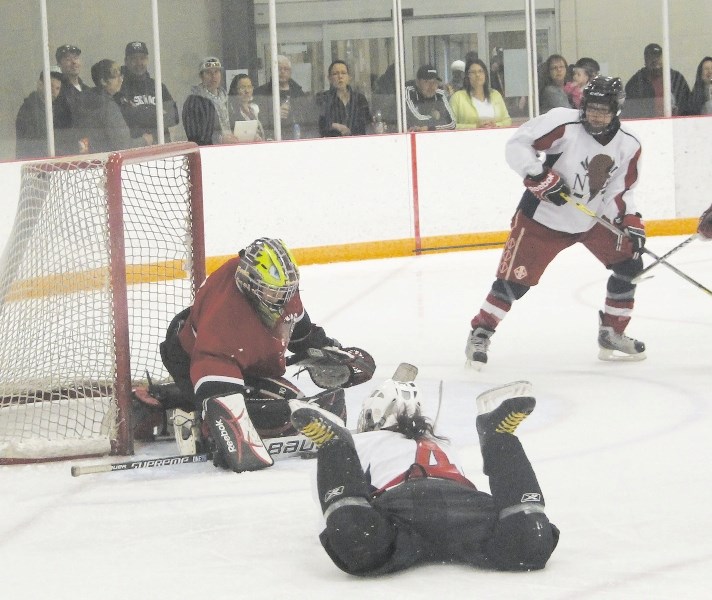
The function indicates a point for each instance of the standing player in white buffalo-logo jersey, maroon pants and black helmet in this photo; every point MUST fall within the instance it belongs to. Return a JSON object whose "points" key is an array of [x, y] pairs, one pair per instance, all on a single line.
{"points": [[589, 156]]}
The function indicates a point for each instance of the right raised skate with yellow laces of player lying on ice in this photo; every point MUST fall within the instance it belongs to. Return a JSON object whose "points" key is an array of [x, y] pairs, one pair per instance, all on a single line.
{"points": [[502, 409]]}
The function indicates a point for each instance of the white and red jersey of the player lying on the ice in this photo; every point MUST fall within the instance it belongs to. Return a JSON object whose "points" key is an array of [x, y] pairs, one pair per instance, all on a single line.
{"points": [[388, 459]]}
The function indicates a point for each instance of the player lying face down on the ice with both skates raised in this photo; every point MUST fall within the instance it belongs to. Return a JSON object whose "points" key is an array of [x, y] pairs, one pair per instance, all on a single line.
{"points": [[394, 494]]}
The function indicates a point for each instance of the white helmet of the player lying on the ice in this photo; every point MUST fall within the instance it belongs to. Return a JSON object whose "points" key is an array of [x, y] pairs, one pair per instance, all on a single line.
{"points": [[381, 409]]}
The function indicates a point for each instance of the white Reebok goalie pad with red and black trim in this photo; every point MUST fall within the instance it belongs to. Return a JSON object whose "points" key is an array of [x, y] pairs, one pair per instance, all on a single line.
{"points": [[234, 434]]}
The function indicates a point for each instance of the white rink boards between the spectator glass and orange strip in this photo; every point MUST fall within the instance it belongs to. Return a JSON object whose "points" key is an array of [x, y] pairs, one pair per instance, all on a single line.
{"points": [[339, 191]]}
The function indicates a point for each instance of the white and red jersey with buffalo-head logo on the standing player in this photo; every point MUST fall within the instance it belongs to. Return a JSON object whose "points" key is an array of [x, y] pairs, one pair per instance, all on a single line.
{"points": [[570, 150]]}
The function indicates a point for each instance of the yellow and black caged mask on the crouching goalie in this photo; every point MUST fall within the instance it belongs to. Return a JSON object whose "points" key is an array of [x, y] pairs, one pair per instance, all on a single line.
{"points": [[268, 275]]}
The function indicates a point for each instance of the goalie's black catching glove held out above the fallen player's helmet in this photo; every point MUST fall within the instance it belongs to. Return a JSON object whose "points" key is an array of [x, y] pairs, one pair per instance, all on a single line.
{"points": [[333, 367]]}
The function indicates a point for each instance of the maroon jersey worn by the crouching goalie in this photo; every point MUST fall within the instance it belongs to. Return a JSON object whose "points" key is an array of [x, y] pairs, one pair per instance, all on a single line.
{"points": [[225, 337]]}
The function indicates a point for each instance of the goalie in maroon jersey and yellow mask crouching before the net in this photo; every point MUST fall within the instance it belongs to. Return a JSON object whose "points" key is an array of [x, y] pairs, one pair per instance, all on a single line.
{"points": [[227, 356]]}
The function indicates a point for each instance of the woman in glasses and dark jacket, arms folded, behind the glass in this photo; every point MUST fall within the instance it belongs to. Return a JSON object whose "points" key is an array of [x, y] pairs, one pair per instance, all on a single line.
{"points": [[343, 110]]}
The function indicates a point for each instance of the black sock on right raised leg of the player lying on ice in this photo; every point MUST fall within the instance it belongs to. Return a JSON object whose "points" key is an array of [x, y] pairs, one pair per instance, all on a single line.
{"points": [[511, 476]]}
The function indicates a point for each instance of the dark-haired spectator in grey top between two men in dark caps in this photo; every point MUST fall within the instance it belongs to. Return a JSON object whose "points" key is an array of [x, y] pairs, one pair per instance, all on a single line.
{"points": [[102, 123]]}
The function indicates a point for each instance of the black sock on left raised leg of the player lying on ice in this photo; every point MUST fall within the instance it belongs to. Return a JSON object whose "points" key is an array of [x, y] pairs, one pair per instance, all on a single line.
{"points": [[339, 474]]}
